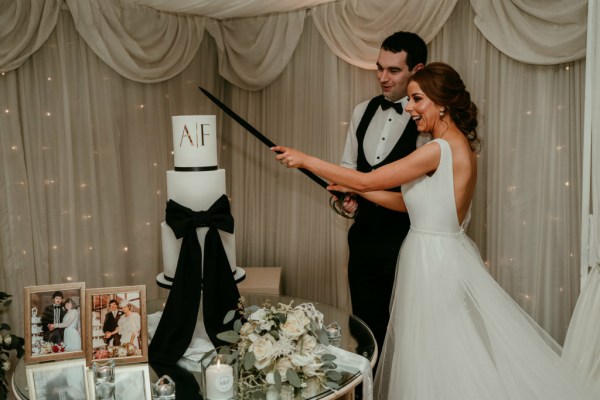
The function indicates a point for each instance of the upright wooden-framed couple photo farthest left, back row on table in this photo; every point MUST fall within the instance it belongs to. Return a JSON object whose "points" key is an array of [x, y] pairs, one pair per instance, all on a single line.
{"points": [[54, 328]]}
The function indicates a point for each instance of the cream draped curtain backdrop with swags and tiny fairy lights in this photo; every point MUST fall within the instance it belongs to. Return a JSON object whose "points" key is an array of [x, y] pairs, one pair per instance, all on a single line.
{"points": [[88, 88]]}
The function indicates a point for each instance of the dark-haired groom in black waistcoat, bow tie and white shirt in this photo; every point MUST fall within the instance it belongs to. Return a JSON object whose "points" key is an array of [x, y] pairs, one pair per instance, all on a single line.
{"points": [[380, 133]]}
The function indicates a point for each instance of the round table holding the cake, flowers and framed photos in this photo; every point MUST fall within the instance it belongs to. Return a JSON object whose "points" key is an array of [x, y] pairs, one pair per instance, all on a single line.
{"points": [[356, 337]]}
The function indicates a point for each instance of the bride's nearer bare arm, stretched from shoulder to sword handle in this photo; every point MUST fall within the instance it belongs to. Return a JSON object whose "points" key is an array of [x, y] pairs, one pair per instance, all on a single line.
{"points": [[420, 162]]}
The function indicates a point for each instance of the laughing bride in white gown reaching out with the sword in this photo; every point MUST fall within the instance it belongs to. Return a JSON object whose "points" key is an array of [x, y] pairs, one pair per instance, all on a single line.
{"points": [[454, 334]]}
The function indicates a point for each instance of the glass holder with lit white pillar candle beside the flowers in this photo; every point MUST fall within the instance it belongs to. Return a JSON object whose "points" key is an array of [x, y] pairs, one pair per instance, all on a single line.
{"points": [[219, 378]]}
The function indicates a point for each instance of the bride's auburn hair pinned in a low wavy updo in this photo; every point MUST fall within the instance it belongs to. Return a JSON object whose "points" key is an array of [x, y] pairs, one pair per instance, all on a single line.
{"points": [[443, 85]]}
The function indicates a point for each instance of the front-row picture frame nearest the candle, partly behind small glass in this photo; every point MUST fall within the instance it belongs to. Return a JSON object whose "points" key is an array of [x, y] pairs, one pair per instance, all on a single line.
{"points": [[131, 382]]}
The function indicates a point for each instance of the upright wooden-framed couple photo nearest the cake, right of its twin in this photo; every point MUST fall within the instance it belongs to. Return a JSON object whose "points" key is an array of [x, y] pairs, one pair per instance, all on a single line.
{"points": [[116, 324]]}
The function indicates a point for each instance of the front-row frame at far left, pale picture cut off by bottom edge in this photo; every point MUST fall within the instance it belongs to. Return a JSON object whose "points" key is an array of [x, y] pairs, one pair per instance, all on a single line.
{"points": [[57, 380]]}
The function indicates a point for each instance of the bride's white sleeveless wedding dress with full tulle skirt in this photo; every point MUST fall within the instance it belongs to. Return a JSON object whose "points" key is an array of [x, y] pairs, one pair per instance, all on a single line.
{"points": [[454, 333]]}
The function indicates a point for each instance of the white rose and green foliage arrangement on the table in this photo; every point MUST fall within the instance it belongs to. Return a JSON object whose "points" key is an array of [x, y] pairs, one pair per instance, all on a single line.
{"points": [[281, 344]]}
